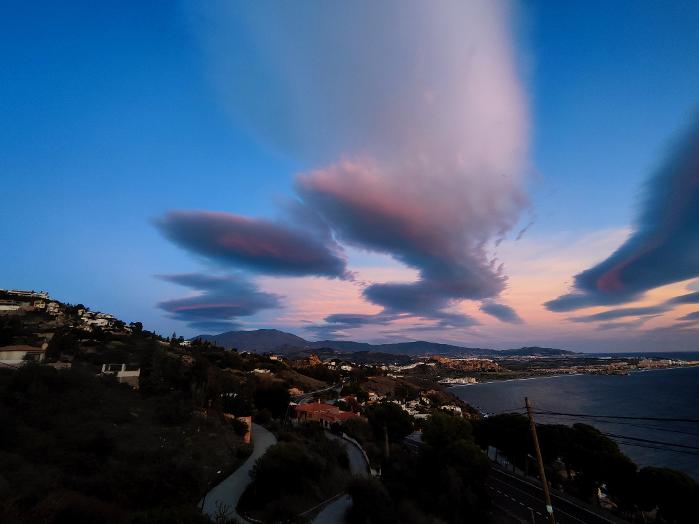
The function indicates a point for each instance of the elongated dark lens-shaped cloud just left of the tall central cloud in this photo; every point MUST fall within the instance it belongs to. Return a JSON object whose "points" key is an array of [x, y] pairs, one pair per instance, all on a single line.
{"points": [[257, 245]]}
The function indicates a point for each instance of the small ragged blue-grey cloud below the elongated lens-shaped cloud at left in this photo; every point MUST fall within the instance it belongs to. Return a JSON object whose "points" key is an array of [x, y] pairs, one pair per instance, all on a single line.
{"points": [[219, 302]]}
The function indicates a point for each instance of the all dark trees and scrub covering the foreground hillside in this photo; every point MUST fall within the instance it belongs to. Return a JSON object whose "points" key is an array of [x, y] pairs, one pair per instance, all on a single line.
{"points": [[77, 446]]}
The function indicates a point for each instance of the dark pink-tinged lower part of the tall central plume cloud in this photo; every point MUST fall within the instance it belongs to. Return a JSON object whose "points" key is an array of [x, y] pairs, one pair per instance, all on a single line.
{"points": [[435, 231]]}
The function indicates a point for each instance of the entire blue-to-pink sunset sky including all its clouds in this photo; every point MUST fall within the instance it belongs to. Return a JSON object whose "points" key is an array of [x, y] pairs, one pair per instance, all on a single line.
{"points": [[484, 173]]}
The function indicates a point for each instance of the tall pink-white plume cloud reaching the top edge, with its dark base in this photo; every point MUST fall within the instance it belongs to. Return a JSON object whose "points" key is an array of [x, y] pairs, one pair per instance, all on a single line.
{"points": [[415, 138]]}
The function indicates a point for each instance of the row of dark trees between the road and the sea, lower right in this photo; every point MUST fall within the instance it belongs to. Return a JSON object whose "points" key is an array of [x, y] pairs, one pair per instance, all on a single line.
{"points": [[581, 460]]}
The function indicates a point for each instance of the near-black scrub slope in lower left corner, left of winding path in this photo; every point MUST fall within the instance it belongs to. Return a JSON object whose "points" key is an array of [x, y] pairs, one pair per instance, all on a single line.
{"points": [[76, 448]]}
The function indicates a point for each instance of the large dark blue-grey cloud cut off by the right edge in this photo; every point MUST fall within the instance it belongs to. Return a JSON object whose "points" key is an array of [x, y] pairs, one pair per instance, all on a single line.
{"points": [[664, 247]]}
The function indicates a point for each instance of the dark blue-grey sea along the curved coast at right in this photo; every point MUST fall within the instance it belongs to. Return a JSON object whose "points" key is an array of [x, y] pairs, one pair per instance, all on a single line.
{"points": [[661, 393]]}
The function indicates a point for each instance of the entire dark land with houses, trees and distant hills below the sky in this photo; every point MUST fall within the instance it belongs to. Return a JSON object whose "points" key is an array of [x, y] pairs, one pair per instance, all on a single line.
{"points": [[288, 437]]}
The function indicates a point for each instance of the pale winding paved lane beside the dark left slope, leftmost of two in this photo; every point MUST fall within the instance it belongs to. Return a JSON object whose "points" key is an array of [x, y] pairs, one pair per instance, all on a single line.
{"points": [[227, 494]]}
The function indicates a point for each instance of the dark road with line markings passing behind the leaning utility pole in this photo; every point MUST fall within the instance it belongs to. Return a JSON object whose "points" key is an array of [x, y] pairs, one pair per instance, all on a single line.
{"points": [[524, 500]]}
